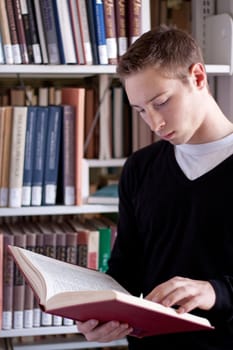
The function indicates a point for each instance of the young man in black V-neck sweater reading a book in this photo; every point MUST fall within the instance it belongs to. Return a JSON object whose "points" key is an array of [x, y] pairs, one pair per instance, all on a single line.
{"points": [[175, 232]]}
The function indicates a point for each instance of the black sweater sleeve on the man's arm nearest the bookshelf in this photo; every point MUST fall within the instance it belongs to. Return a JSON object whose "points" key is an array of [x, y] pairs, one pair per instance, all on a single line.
{"points": [[125, 263]]}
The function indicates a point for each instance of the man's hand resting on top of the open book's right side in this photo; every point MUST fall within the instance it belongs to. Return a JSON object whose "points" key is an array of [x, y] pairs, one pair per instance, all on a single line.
{"points": [[185, 293]]}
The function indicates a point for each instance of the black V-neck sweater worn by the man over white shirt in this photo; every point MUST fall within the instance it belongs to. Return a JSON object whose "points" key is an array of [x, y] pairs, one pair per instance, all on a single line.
{"points": [[172, 226]]}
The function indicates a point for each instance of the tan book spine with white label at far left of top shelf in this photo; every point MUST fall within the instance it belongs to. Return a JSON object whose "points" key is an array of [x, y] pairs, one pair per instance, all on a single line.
{"points": [[6, 36]]}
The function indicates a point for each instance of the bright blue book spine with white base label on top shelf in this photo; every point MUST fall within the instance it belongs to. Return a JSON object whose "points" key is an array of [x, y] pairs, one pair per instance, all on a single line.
{"points": [[100, 31]]}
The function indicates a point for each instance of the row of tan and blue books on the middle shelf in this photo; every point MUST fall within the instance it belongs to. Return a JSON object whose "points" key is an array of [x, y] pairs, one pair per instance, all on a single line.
{"points": [[42, 151]]}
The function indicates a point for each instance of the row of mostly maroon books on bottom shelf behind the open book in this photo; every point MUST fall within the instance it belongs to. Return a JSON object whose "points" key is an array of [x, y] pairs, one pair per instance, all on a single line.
{"points": [[84, 242]]}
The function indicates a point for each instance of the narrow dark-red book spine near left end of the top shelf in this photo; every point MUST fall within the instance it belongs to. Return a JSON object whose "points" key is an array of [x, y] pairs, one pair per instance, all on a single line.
{"points": [[20, 31]]}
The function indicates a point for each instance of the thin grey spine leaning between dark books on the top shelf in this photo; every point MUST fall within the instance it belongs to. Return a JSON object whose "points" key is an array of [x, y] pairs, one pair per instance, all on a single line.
{"points": [[41, 33]]}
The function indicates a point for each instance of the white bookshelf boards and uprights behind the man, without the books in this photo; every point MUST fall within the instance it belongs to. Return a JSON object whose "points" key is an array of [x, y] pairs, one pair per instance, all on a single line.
{"points": [[73, 72]]}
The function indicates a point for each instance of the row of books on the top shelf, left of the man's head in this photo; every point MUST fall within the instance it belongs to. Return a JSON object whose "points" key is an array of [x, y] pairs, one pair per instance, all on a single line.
{"points": [[67, 31]]}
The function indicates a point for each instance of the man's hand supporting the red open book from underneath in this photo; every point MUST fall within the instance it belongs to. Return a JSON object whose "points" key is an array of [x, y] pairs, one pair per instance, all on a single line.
{"points": [[105, 332]]}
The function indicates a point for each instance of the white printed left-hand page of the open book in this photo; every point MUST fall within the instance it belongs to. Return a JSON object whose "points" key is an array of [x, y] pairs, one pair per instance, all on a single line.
{"points": [[63, 277]]}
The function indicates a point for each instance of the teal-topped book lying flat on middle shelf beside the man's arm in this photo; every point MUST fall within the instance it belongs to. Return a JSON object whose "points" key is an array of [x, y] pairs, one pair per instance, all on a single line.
{"points": [[105, 195]]}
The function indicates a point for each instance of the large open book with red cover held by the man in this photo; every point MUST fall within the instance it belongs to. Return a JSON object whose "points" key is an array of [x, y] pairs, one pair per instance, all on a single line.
{"points": [[79, 293]]}
